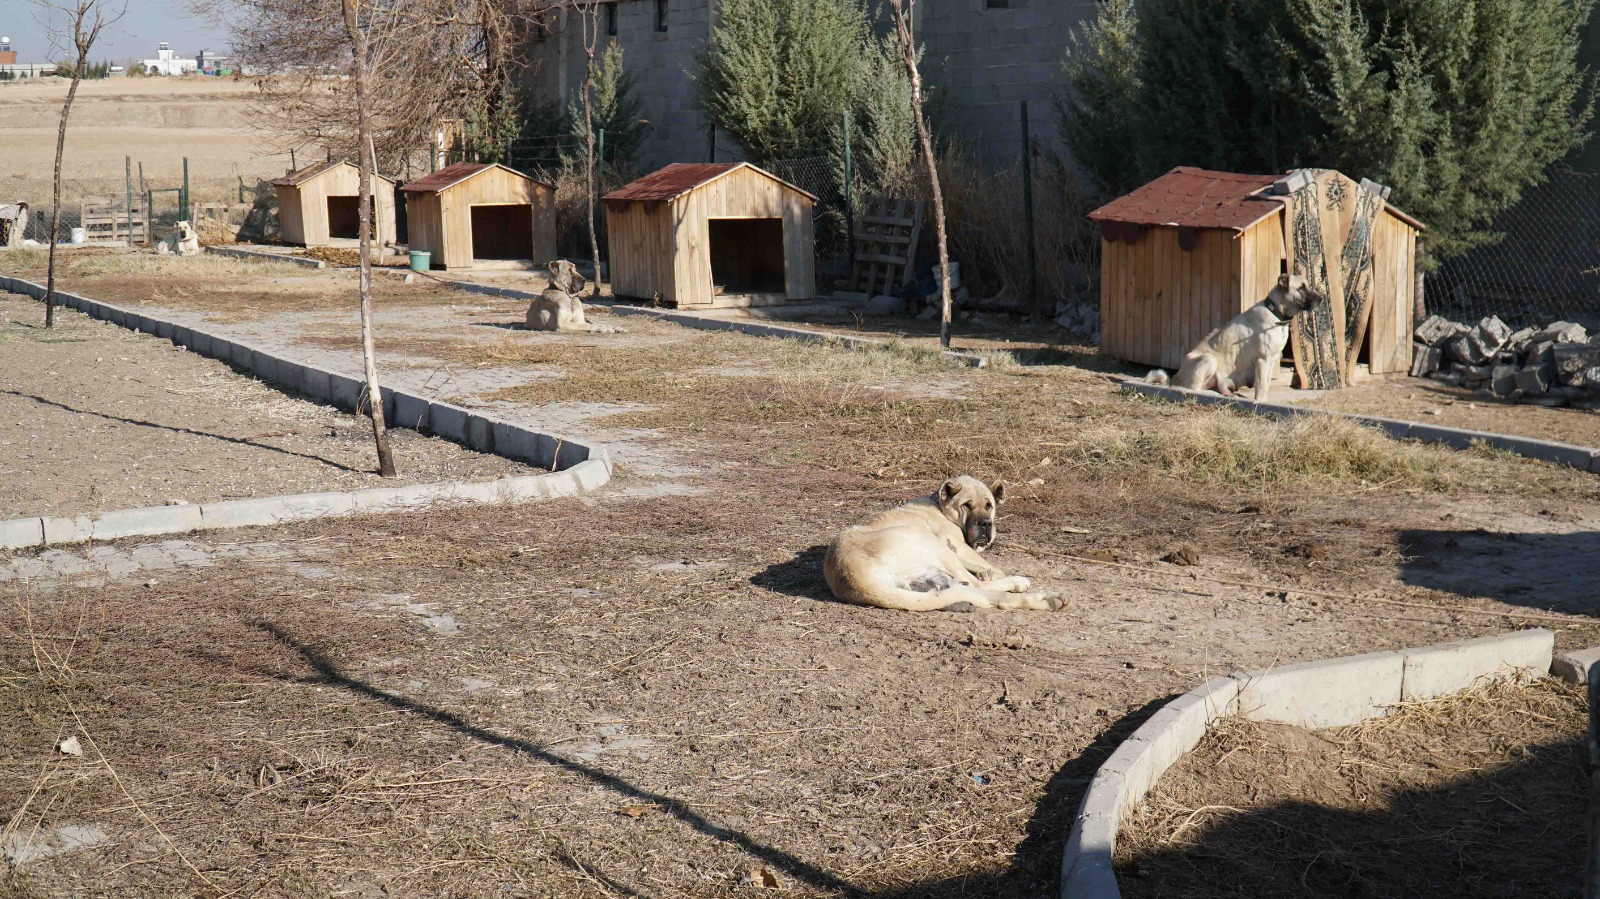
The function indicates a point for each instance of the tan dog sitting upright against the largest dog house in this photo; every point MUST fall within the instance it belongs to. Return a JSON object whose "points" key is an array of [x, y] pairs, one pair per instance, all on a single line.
{"points": [[1246, 353]]}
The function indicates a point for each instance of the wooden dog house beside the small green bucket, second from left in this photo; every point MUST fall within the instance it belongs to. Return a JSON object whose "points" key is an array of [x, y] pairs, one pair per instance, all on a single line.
{"points": [[476, 215]]}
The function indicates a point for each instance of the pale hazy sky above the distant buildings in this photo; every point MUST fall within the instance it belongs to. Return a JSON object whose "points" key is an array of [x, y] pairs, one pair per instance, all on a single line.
{"points": [[134, 38]]}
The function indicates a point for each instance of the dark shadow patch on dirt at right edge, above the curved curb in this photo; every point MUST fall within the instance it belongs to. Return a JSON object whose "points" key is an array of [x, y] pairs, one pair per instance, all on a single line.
{"points": [[1546, 572]]}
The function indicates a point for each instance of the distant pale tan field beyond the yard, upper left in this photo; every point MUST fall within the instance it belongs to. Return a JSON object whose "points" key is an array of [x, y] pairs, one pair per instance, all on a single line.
{"points": [[156, 122]]}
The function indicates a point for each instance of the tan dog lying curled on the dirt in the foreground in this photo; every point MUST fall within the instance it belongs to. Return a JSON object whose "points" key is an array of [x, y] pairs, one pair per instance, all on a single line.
{"points": [[924, 556]]}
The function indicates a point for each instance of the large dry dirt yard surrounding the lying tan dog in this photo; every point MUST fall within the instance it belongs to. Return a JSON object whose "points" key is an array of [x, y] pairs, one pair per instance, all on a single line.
{"points": [[650, 692]]}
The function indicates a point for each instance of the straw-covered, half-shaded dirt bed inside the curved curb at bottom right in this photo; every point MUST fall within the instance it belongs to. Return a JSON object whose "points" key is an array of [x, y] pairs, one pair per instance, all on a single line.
{"points": [[1481, 796]]}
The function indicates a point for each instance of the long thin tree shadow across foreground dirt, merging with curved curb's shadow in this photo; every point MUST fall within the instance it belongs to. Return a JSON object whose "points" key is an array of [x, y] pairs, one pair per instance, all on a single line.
{"points": [[1033, 871]]}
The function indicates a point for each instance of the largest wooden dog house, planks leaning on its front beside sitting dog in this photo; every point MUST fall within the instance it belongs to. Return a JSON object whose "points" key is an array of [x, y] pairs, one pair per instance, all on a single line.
{"points": [[1194, 249]]}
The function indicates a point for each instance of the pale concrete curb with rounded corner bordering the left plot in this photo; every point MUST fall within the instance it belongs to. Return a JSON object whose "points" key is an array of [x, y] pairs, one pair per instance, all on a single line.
{"points": [[575, 468]]}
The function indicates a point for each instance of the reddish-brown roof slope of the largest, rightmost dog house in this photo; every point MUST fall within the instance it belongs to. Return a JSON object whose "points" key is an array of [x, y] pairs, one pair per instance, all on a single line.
{"points": [[1194, 198]]}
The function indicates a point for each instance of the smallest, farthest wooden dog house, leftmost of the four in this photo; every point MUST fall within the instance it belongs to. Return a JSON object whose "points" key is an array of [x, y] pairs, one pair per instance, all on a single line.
{"points": [[319, 206]]}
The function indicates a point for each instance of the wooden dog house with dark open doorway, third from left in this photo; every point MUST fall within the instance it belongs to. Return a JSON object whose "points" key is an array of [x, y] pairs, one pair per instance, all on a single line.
{"points": [[713, 236]]}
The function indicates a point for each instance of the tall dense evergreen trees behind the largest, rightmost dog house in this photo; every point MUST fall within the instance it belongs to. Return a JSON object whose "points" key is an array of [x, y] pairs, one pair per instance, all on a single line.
{"points": [[1457, 105]]}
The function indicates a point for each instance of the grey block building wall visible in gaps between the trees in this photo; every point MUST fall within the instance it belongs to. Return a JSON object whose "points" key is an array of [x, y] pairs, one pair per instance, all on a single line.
{"points": [[983, 60]]}
